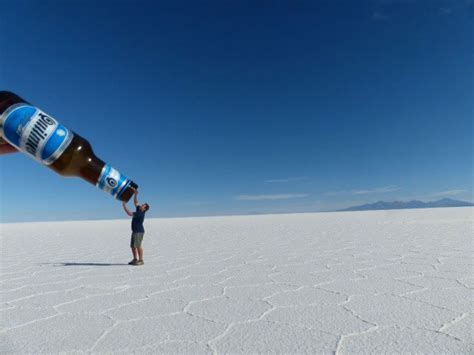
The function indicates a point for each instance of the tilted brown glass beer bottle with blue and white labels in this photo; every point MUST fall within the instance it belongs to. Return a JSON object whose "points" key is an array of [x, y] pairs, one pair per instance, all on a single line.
{"points": [[40, 136]]}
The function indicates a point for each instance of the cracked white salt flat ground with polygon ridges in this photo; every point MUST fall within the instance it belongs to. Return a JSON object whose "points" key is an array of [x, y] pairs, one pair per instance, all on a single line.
{"points": [[345, 283]]}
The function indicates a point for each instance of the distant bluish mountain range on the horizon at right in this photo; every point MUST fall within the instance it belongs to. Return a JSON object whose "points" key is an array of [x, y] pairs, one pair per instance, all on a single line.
{"points": [[395, 205]]}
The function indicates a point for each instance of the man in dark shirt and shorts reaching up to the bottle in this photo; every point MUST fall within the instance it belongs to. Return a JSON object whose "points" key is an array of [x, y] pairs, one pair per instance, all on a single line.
{"points": [[137, 229]]}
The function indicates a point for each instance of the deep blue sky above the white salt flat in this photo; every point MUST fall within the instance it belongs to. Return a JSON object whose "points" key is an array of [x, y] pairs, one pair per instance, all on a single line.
{"points": [[236, 107]]}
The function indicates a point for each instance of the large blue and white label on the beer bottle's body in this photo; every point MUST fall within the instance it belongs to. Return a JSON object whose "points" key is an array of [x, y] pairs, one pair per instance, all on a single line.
{"points": [[35, 133]]}
